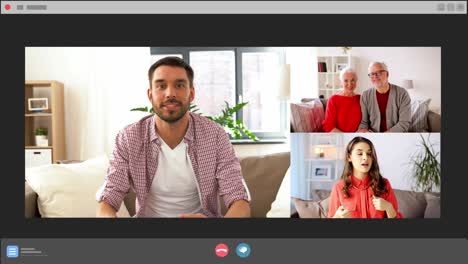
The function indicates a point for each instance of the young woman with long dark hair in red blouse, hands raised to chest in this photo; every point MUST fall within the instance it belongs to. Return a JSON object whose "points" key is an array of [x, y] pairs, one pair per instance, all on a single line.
{"points": [[362, 192]]}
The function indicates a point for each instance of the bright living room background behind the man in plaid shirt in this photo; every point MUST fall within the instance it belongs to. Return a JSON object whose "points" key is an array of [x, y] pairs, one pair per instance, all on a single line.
{"points": [[98, 86]]}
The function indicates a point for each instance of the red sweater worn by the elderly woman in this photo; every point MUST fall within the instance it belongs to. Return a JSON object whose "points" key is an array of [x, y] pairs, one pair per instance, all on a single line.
{"points": [[343, 112]]}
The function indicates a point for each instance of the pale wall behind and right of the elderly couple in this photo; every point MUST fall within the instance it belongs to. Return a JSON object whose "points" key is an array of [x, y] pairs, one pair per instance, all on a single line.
{"points": [[420, 64]]}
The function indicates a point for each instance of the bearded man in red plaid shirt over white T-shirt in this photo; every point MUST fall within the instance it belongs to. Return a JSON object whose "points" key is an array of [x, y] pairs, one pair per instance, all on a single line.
{"points": [[178, 163]]}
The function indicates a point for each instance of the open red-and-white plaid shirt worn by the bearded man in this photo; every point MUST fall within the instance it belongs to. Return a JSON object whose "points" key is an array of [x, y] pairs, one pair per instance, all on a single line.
{"points": [[134, 162]]}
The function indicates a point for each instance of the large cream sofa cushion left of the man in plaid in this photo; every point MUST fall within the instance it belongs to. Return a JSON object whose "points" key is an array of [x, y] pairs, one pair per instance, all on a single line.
{"points": [[68, 190]]}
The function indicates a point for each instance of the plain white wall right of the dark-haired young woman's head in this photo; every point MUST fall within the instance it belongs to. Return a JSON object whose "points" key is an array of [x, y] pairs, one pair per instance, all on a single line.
{"points": [[394, 151]]}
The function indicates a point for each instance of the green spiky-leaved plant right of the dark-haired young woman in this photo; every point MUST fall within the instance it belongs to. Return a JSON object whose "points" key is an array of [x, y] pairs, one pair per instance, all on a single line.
{"points": [[425, 169]]}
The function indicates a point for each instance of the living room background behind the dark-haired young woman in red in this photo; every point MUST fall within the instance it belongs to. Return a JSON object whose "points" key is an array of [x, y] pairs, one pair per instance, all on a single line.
{"points": [[411, 163]]}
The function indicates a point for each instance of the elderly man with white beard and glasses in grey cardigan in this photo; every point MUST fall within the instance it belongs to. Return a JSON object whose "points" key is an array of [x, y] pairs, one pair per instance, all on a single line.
{"points": [[385, 107]]}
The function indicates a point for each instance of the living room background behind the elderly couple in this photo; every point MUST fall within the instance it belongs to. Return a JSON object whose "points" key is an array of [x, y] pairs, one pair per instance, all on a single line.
{"points": [[418, 69]]}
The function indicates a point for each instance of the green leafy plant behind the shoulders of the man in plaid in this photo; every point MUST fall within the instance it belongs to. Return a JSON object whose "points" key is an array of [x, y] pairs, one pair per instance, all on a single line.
{"points": [[235, 128]]}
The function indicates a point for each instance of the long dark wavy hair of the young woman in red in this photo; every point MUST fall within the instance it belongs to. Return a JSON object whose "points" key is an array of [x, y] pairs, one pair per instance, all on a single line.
{"points": [[377, 181]]}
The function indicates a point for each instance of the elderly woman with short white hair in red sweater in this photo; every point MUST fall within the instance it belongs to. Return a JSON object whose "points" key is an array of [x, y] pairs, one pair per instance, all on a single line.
{"points": [[344, 109]]}
